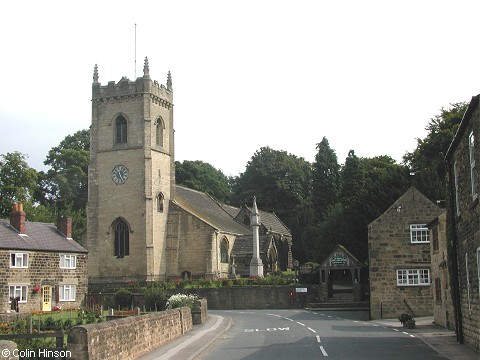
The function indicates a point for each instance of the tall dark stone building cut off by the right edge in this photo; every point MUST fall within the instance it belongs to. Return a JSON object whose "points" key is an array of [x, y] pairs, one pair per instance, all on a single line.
{"points": [[463, 227]]}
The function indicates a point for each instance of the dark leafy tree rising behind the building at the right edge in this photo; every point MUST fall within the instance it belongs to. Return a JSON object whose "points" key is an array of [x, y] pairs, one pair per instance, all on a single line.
{"points": [[427, 162]]}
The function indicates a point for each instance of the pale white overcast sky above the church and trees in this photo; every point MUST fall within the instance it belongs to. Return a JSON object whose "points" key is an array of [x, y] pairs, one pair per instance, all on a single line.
{"points": [[367, 75]]}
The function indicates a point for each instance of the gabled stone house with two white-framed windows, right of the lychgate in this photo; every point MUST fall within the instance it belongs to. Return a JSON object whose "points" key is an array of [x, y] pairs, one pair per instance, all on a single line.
{"points": [[399, 258]]}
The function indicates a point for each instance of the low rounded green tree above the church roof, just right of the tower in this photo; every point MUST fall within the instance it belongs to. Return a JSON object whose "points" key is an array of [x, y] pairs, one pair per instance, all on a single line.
{"points": [[201, 176]]}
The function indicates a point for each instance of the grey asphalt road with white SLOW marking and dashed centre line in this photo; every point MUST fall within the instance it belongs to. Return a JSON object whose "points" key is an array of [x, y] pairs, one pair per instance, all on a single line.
{"points": [[300, 334]]}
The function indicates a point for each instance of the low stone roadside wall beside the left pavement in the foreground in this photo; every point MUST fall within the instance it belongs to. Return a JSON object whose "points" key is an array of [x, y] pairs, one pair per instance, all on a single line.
{"points": [[128, 338]]}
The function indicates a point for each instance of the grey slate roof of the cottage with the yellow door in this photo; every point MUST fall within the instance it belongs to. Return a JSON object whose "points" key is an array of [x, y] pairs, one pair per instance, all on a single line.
{"points": [[37, 237]]}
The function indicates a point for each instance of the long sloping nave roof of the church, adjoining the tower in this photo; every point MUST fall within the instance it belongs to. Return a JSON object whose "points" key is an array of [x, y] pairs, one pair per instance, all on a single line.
{"points": [[205, 208]]}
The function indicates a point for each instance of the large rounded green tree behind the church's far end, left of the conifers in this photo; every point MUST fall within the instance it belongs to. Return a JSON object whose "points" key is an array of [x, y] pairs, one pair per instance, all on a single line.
{"points": [[282, 183]]}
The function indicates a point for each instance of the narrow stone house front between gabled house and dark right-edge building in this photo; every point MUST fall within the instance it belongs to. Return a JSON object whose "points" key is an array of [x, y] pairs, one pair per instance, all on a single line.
{"points": [[443, 310]]}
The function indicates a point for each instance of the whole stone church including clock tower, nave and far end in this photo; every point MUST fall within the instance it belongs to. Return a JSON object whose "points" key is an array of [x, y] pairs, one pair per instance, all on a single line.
{"points": [[141, 226]]}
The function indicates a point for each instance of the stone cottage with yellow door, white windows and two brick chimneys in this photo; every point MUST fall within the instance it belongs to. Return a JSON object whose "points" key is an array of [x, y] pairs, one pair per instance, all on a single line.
{"points": [[41, 266]]}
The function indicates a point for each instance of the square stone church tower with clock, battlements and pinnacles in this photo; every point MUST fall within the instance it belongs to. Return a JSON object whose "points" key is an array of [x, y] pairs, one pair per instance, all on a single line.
{"points": [[131, 178]]}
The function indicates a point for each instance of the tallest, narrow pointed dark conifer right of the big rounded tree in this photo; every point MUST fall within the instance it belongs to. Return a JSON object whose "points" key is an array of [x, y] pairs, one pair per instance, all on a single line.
{"points": [[325, 179]]}
